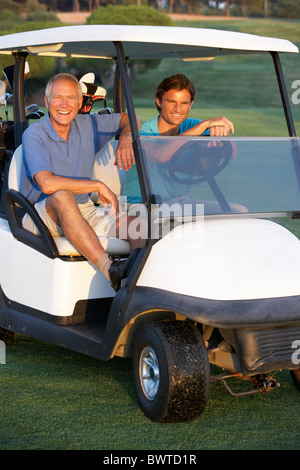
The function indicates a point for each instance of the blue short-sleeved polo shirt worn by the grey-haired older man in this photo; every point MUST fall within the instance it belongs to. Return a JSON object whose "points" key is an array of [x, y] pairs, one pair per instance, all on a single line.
{"points": [[45, 150]]}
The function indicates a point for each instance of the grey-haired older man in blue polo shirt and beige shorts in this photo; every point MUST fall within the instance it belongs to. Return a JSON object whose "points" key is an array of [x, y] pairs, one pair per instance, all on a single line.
{"points": [[59, 153]]}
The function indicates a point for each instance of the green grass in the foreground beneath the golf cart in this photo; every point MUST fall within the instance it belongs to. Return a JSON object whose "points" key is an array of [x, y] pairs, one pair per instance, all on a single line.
{"points": [[52, 398]]}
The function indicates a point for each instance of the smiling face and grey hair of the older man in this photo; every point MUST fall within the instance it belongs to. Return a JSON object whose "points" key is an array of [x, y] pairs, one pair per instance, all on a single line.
{"points": [[63, 103]]}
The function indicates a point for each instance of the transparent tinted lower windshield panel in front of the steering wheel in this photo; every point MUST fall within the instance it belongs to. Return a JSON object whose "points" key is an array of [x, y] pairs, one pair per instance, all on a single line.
{"points": [[232, 175]]}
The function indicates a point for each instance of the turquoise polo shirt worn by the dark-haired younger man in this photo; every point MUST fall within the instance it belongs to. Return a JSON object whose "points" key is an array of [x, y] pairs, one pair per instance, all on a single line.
{"points": [[131, 187]]}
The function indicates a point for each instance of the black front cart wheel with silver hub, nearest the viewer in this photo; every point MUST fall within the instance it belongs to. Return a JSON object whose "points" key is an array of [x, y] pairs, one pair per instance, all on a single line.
{"points": [[171, 372]]}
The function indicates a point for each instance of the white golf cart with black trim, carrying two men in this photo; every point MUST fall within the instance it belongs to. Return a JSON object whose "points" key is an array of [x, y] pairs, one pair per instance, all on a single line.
{"points": [[218, 281]]}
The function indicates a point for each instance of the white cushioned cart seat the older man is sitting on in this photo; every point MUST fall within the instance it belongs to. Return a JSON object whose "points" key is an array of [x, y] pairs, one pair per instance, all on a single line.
{"points": [[104, 170]]}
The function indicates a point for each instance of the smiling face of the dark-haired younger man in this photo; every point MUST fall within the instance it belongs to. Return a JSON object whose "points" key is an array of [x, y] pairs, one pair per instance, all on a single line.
{"points": [[175, 106]]}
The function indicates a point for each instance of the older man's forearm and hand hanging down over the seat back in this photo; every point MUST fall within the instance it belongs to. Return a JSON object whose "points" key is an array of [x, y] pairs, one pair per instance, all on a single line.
{"points": [[124, 153]]}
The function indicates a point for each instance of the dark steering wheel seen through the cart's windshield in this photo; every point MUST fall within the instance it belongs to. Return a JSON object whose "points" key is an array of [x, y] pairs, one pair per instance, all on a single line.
{"points": [[197, 161]]}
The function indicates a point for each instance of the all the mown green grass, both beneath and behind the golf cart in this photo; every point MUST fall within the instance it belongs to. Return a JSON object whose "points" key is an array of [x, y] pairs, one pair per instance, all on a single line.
{"points": [[52, 398]]}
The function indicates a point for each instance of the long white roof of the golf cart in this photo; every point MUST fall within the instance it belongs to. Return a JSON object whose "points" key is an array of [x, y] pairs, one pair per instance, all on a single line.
{"points": [[139, 42]]}
